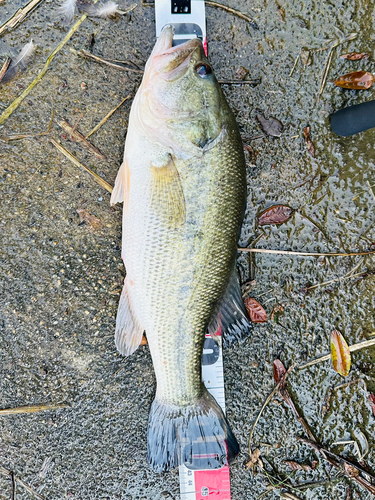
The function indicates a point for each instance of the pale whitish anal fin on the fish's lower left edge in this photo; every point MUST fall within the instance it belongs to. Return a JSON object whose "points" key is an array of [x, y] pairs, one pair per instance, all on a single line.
{"points": [[129, 331]]}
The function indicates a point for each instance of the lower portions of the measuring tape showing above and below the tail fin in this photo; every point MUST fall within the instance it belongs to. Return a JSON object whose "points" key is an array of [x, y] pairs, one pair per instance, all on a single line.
{"points": [[208, 483]]}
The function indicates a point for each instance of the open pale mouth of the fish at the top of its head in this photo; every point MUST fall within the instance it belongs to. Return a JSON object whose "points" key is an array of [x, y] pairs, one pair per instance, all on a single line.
{"points": [[167, 59]]}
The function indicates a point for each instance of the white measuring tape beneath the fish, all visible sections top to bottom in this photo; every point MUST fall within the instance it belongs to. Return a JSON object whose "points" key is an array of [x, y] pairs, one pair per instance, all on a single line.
{"points": [[189, 20]]}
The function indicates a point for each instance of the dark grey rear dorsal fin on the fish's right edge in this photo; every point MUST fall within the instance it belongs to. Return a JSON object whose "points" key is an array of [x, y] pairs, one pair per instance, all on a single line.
{"points": [[230, 318]]}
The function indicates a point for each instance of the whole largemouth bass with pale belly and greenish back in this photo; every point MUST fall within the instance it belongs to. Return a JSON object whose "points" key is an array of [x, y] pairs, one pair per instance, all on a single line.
{"points": [[183, 185]]}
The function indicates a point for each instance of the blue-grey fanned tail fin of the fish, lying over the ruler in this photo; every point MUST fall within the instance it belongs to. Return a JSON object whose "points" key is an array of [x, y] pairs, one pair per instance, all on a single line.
{"points": [[197, 436]]}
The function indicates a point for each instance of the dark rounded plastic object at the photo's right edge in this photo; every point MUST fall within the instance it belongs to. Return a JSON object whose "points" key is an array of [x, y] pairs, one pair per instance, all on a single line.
{"points": [[354, 119]]}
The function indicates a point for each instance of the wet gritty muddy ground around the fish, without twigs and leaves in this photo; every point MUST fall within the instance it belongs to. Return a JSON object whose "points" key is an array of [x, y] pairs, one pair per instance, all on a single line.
{"points": [[60, 280]]}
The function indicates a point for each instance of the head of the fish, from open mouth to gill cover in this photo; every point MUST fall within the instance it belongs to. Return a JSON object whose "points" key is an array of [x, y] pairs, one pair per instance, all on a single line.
{"points": [[182, 102]]}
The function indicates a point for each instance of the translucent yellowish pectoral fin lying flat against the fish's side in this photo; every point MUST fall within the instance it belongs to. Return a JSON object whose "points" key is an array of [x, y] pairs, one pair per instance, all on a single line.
{"points": [[167, 196]]}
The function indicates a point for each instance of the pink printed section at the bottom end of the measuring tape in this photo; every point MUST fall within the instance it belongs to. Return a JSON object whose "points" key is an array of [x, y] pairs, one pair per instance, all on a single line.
{"points": [[212, 484]]}
